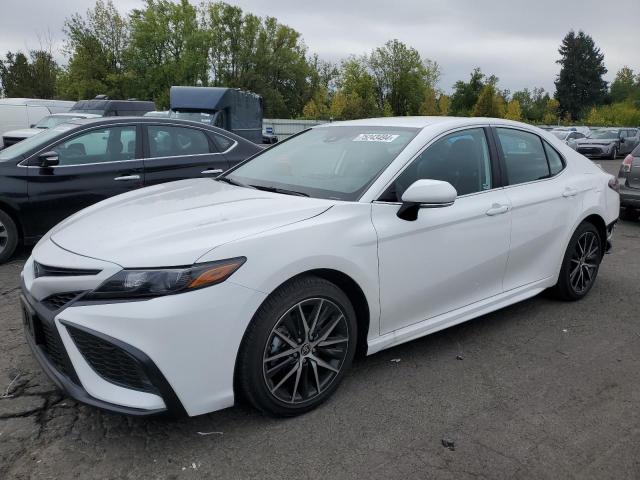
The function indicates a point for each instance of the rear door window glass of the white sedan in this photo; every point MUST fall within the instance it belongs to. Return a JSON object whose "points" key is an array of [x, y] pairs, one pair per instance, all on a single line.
{"points": [[524, 156]]}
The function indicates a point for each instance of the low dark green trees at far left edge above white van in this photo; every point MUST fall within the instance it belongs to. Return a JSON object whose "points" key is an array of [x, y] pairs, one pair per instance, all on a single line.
{"points": [[33, 77]]}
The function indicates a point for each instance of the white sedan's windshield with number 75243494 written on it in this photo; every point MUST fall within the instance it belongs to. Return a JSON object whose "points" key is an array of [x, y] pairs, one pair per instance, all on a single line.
{"points": [[337, 162]]}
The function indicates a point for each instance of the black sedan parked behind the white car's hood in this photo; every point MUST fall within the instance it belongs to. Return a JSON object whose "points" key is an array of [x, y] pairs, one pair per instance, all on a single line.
{"points": [[59, 171]]}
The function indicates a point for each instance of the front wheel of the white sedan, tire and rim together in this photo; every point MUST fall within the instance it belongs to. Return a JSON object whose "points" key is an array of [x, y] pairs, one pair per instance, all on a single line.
{"points": [[305, 368]]}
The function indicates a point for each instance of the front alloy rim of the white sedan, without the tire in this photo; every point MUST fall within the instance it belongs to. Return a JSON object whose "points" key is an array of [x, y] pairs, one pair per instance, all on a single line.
{"points": [[305, 350]]}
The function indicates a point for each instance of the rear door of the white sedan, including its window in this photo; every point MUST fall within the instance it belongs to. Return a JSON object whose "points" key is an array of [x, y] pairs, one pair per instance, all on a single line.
{"points": [[545, 200]]}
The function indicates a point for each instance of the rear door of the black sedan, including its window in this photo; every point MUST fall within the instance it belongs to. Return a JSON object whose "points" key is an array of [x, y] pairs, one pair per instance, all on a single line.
{"points": [[175, 152]]}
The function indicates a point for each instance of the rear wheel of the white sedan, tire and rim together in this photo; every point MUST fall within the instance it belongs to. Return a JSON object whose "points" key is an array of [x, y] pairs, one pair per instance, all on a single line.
{"points": [[580, 264]]}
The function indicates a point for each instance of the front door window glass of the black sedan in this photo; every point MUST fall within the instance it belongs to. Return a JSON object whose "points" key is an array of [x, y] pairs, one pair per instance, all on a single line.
{"points": [[97, 146]]}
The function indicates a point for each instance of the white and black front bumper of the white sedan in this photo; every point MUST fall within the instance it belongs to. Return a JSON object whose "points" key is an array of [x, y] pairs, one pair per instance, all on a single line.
{"points": [[185, 345]]}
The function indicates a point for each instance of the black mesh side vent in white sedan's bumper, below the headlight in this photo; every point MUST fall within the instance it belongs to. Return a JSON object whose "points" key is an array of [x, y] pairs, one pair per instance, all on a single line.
{"points": [[111, 362]]}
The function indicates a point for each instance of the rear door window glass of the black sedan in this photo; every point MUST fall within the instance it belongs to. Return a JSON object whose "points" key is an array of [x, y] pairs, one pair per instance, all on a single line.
{"points": [[169, 141]]}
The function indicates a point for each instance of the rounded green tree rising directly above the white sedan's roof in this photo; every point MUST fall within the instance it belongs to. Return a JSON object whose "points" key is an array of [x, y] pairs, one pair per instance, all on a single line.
{"points": [[400, 77]]}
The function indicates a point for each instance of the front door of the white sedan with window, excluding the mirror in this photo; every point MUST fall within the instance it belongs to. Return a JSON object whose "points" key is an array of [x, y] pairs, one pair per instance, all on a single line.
{"points": [[448, 257]]}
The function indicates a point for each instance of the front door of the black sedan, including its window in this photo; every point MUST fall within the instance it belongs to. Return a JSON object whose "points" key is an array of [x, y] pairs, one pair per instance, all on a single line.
{"points": [[93, 165]]}
